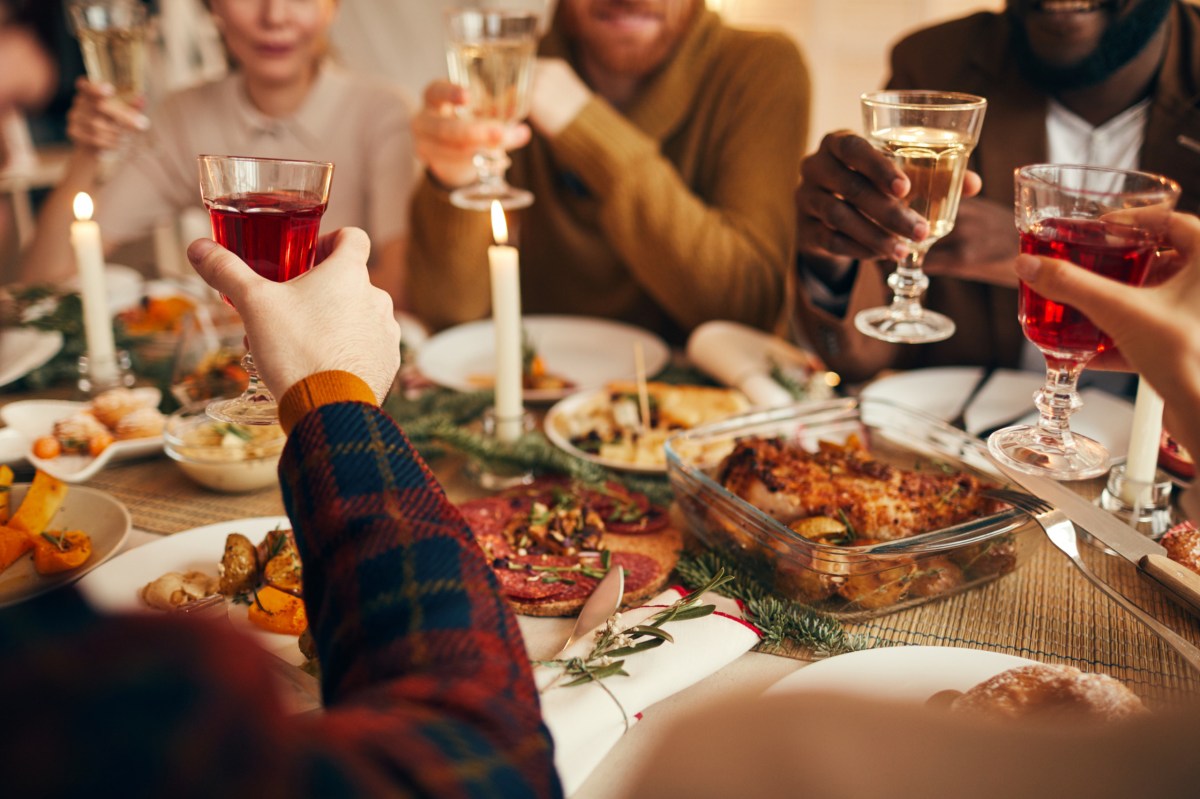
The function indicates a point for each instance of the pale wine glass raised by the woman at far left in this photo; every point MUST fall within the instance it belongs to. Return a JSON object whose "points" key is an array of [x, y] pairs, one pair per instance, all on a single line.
{"points": [[112, 37]]}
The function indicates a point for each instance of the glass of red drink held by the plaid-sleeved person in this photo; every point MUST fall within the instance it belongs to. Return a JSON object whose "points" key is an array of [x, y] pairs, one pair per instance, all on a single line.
{"points": [[268, 213]]}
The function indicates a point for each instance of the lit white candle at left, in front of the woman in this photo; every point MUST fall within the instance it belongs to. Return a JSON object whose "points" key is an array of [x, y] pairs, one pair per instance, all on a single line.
{"points": [[98, 325]]}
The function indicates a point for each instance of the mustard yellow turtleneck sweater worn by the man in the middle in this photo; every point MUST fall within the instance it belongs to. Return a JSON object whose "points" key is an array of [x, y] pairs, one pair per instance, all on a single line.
{"points": [[675, 211]]}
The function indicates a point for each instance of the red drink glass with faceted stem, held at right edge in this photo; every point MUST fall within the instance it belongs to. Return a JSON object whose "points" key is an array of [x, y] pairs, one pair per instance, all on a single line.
{"points": [[1109, 223]]}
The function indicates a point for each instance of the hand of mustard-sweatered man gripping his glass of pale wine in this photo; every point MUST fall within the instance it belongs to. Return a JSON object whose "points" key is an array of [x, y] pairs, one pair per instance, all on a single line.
{"points": [[447, 143]]}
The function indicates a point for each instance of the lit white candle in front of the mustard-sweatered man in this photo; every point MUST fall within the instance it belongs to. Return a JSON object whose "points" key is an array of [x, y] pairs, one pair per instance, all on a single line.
{"points": [[506, 272]]}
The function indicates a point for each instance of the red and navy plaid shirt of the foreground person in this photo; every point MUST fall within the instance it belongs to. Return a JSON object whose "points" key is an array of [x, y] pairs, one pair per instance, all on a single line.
{"points": [[427, 681]]}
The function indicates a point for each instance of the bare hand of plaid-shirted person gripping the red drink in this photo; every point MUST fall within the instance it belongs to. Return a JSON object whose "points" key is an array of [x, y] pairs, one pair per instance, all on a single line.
{"points": [[329, 319]]}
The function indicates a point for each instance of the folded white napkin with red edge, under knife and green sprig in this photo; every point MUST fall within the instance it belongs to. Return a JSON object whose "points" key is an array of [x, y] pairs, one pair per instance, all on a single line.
{"points": [[586, 720]]}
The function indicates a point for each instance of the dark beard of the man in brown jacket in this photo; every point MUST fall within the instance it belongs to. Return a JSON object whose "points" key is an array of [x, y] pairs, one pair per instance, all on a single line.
{"points": [[1121, 43]]}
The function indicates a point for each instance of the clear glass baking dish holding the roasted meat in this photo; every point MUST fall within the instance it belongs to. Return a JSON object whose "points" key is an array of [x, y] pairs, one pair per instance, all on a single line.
{"points": [[849, 582]]}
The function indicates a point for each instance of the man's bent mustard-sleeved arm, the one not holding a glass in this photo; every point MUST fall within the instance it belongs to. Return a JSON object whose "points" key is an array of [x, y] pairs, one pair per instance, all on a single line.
{"points": [[730, 245]]}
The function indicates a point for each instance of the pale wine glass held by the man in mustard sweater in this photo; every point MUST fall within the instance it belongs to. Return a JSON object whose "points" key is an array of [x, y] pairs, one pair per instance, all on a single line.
{"points": [[491, 55]]}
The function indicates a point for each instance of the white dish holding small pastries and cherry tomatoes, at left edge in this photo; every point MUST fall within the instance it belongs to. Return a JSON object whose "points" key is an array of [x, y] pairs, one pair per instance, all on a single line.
{"points": [[33, 419]]}
